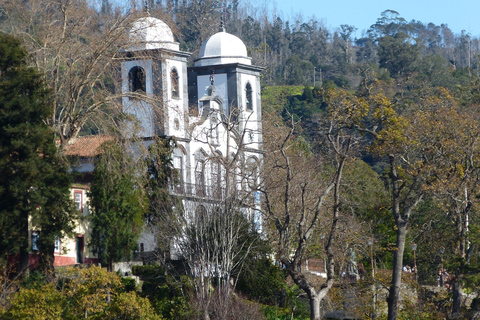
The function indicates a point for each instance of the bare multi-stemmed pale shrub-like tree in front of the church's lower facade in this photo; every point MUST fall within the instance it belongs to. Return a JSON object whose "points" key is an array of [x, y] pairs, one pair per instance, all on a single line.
{"points": [[216, 239]]}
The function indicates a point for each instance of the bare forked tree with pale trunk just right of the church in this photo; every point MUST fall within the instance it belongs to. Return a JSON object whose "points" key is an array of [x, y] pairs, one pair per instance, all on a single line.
{"points": [[300, 189]]}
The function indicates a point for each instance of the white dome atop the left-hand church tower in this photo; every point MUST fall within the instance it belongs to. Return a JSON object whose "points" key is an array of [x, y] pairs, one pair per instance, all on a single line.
{"points": [[152, 33]]}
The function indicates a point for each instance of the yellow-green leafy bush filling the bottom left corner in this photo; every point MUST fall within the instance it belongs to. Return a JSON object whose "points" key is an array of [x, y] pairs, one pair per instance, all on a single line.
{"points": [[91, 293]]}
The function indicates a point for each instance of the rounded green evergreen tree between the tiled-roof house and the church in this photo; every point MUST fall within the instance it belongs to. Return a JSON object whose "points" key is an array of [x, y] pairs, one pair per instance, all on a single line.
{"points": [[117, 203]]}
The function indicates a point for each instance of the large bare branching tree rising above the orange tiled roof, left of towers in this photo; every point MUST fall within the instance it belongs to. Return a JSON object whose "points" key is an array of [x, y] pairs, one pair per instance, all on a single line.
{"points": [[78, 49]]}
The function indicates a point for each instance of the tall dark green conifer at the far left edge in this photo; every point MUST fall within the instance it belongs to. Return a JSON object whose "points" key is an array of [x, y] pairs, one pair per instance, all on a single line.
{"points": [[34, 182]]}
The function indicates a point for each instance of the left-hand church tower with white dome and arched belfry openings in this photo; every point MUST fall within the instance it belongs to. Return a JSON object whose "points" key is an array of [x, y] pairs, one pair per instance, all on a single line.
{"points": [[154, 82]]}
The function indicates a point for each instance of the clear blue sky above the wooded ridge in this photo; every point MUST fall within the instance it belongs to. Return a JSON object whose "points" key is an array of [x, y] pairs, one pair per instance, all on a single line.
{"points": [[458, 15]]}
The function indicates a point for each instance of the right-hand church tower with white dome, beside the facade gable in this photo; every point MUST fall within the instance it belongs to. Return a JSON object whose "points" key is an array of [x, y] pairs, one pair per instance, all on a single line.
{"points": [[223, 65]]}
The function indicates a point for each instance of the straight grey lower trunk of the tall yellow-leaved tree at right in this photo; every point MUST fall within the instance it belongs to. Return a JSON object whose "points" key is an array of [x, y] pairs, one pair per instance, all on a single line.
{"points": [[394, 295]]}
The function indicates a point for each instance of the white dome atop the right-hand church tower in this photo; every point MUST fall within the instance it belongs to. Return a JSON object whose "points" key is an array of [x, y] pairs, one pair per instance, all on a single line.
{"points": [[222, 48]]}
